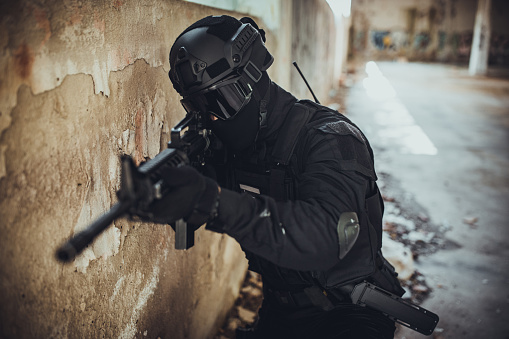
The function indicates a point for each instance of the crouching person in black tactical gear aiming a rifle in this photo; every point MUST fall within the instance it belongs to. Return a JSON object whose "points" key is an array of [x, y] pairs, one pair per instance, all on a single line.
{"points": [[292, 181]]}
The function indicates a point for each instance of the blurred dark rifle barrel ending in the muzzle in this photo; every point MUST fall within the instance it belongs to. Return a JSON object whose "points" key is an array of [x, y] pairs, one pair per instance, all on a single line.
{"points": [[68, 251]]}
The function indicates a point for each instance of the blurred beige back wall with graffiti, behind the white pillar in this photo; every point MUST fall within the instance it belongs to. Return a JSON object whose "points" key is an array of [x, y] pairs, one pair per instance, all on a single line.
{"points": [[429, 30]]}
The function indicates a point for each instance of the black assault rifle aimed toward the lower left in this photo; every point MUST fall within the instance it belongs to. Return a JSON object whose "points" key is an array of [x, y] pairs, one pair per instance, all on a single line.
{"points": [[140, 186]]}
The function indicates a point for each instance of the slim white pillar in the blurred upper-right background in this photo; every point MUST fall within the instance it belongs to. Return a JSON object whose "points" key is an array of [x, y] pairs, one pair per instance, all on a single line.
{"points": [[481, 40]]}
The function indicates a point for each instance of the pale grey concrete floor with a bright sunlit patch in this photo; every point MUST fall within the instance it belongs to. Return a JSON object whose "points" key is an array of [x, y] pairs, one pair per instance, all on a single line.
{"points": [[444, 138]]}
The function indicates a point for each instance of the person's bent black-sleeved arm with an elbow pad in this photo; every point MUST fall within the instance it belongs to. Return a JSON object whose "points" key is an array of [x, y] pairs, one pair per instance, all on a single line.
{"points": [[301, 234]]}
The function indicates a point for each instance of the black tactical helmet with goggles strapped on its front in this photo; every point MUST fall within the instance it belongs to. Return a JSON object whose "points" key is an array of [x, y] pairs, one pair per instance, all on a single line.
{"points": [[216, 64]]}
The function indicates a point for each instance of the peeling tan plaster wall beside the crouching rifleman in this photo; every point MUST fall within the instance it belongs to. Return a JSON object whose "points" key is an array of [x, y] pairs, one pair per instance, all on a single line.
{"points": [[81, 83]]}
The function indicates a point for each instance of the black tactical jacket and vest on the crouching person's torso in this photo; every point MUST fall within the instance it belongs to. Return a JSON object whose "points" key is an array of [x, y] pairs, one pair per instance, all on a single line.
{"points": [[282, 202]]}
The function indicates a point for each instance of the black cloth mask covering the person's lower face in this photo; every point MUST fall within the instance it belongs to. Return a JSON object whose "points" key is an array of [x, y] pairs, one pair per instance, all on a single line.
{"points": [[239, 132]]}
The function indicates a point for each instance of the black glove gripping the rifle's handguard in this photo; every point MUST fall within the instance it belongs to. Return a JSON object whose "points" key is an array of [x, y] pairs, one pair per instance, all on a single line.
{"points": [[191, 196]]}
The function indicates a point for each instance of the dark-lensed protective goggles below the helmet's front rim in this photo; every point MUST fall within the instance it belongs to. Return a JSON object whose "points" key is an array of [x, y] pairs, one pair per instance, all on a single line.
{"points": [[223, 100]]}
